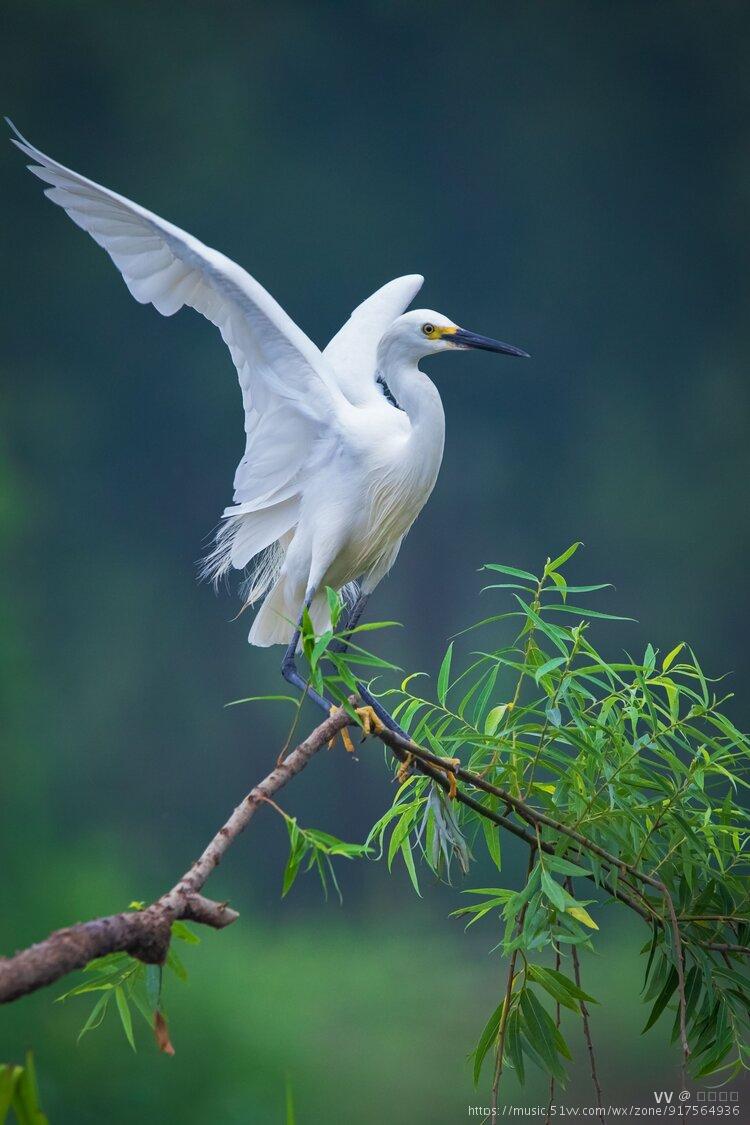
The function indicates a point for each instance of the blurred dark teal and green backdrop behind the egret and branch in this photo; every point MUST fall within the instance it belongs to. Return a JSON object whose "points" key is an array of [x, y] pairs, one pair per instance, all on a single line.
{"points": [[573, 178]]}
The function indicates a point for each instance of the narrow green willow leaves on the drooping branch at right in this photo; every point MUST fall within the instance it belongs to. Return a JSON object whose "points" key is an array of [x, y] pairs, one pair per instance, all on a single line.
{"points": [[629, 782]]}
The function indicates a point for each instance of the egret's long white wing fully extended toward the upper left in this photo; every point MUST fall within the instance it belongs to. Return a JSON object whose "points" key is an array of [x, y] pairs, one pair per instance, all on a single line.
{"points": [[290, 392]]}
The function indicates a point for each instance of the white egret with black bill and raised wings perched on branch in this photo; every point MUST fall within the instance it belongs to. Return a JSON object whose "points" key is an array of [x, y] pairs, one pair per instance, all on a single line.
{"points": [[344, 445]]}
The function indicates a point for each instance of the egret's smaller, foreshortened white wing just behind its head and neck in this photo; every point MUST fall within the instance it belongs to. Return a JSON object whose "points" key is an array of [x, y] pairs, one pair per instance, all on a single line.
{"points": [[354, 350]]}
